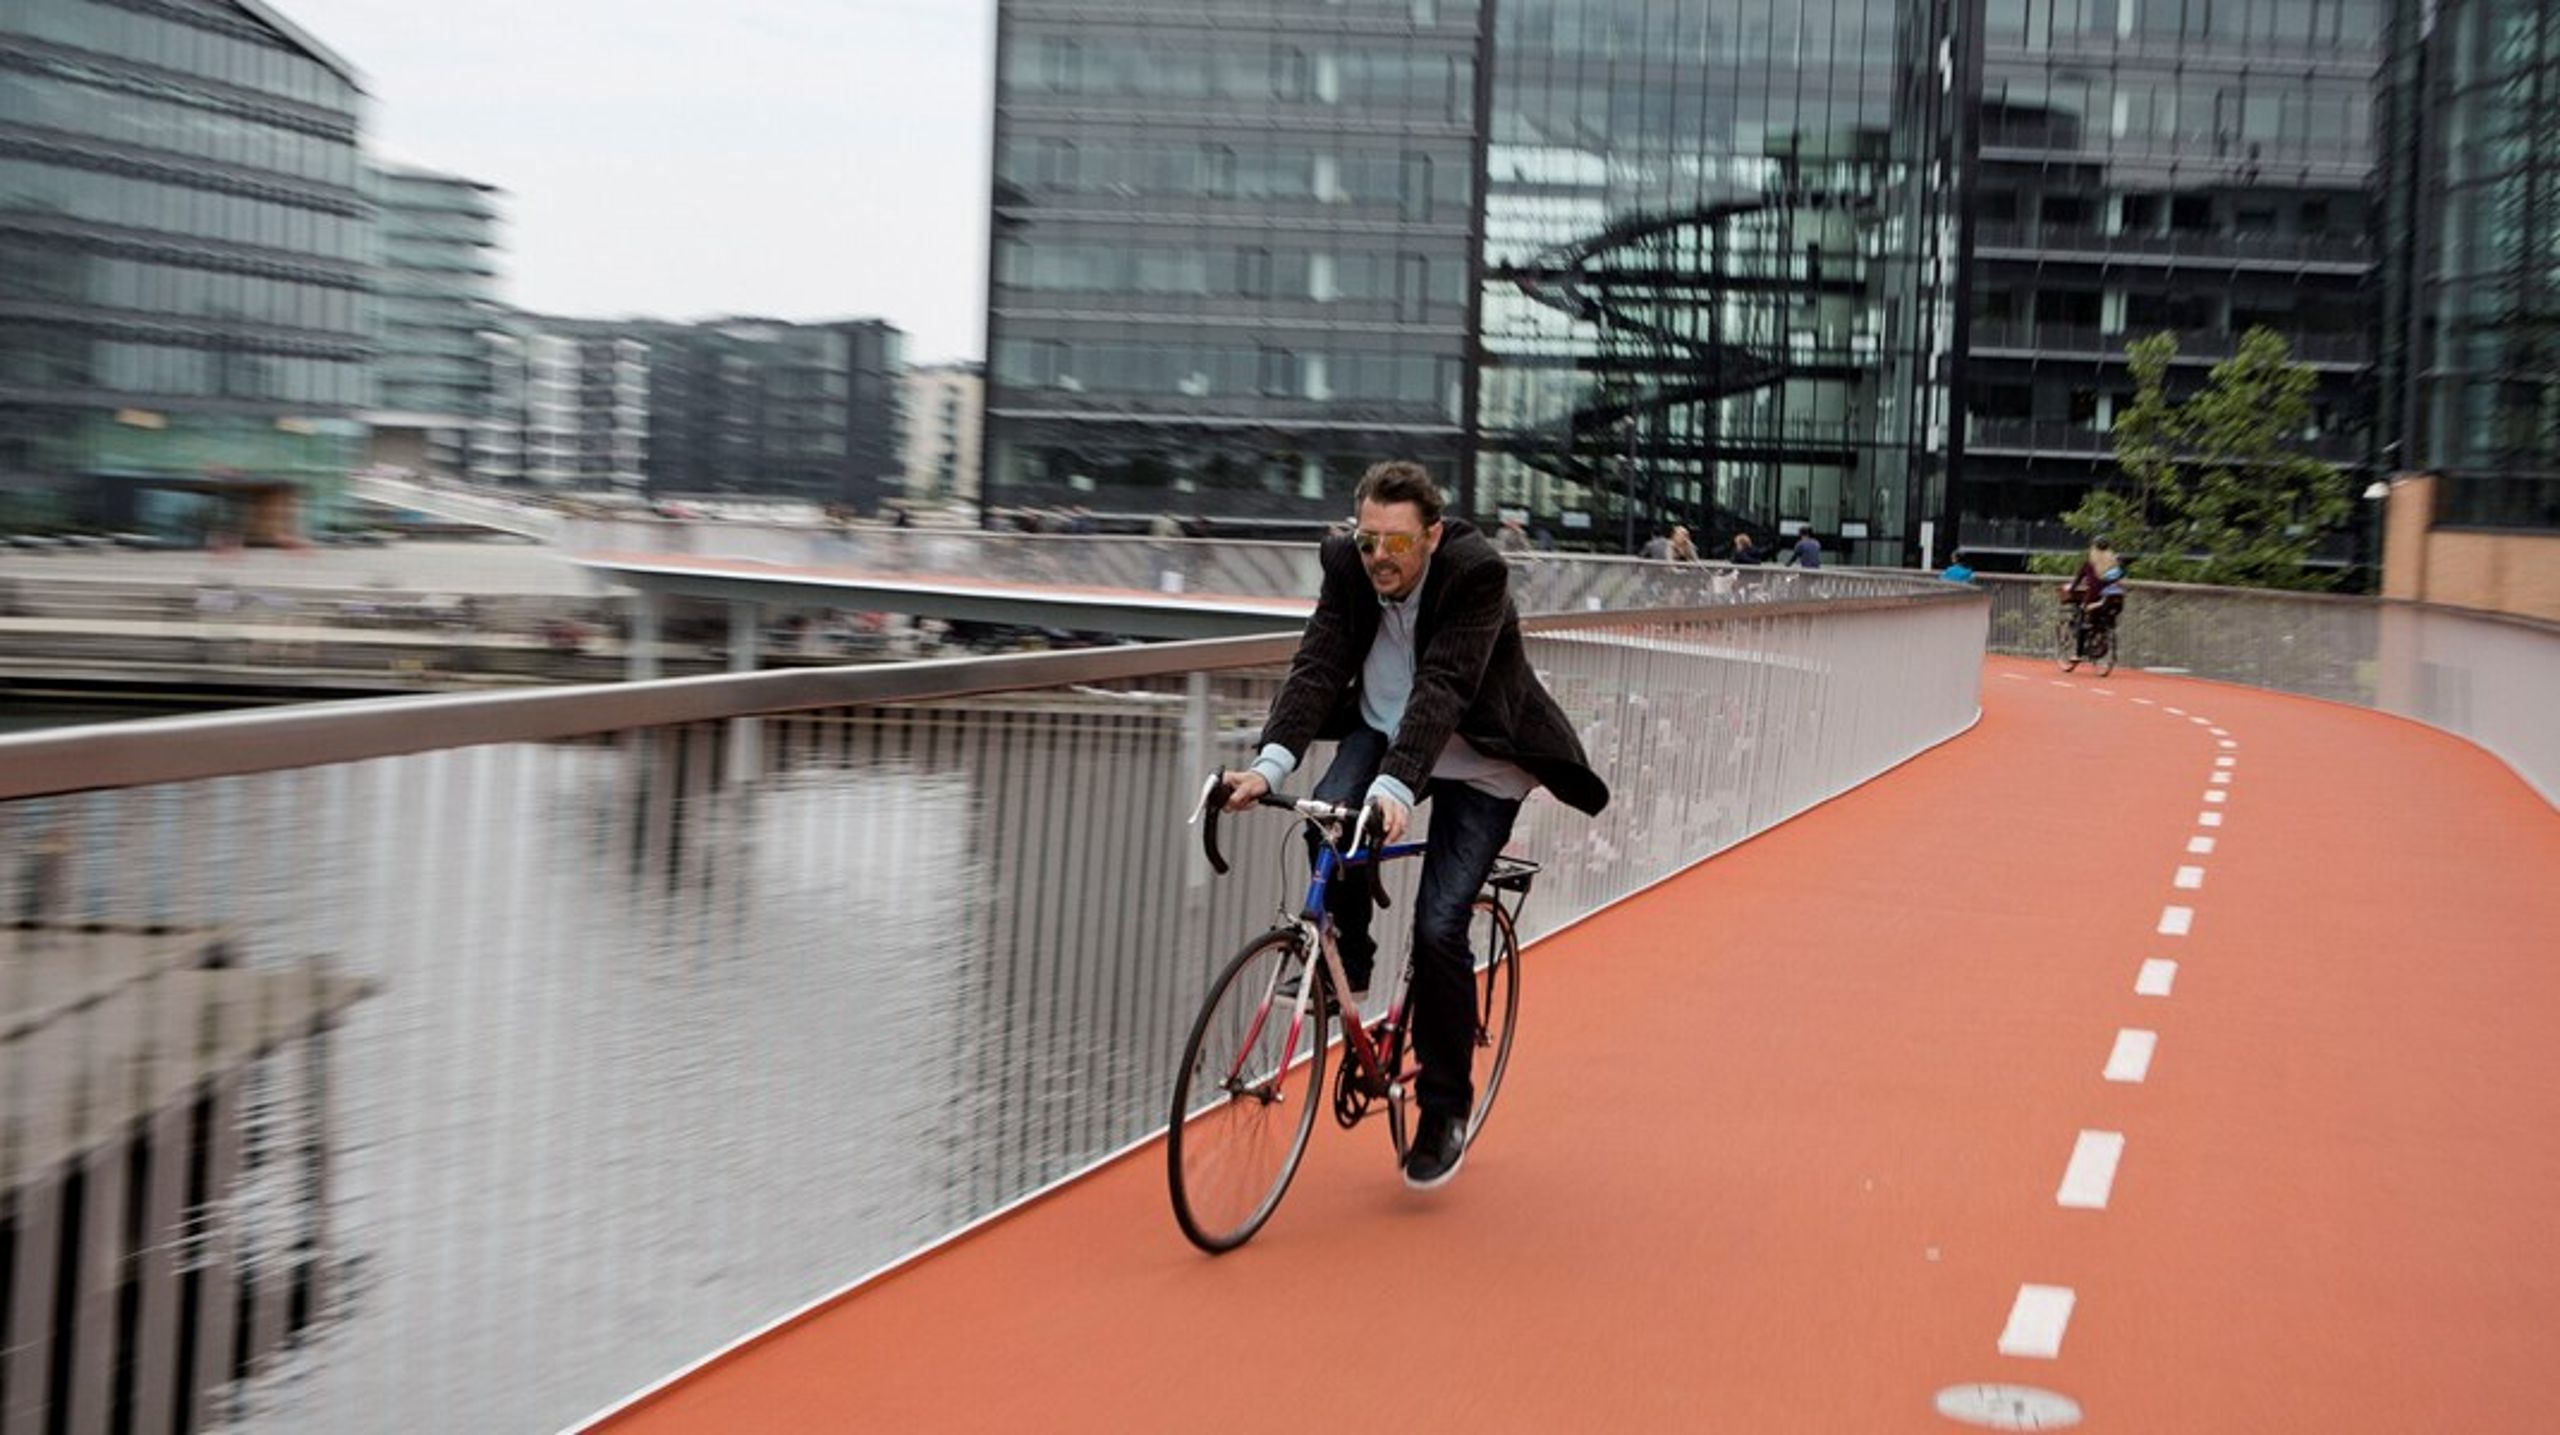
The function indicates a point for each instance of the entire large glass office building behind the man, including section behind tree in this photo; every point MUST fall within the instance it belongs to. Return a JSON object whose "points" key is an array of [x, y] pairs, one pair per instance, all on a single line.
{"points": [[1855, 267]]}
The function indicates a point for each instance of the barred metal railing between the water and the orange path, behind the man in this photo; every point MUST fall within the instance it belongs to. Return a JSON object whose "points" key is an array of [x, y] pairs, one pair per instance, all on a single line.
{"points": [[495, 1055]]}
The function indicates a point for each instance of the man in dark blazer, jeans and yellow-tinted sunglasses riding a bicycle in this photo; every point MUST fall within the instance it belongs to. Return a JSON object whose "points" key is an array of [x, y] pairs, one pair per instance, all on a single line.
{"points": [[1414, 664]]}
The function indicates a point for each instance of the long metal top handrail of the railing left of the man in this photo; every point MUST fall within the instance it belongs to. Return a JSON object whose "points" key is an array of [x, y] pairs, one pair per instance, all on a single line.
{"points": [[308, 735]]}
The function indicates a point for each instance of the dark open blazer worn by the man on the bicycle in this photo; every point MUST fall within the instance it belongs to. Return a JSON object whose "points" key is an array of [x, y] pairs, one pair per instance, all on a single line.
{"points": [[1471, 671]]}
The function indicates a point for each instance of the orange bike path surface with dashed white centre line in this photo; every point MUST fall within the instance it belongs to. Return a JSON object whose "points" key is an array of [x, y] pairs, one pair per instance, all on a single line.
{"points": [[1788, 1137]]}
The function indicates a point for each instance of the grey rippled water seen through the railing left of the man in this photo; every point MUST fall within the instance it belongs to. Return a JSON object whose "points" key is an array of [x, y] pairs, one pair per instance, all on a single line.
{"points": [[659, 1055]]}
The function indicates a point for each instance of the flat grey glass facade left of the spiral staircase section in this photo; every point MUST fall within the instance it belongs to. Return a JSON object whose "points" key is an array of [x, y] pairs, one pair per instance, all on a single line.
{"points": [[1230, 252]]}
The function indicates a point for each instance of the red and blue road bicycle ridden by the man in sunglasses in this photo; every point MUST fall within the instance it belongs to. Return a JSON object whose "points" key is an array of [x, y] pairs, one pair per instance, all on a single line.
{"points": [[1243, 1106]]}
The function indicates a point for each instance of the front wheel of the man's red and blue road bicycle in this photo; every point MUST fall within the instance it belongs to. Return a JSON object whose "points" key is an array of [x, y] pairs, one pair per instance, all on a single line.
{"points": [[1245, 1099]]}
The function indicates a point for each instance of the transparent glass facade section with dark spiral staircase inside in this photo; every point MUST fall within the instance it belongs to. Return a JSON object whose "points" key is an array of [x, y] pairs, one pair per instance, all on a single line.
{"points": [[1714, 252]]}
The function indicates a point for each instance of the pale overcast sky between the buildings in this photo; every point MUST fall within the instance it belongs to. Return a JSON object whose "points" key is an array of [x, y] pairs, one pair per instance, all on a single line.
{"points": [[682, 160]]}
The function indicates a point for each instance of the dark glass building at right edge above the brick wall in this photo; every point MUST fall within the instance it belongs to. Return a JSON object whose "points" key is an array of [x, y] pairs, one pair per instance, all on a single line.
{"points": [[2474, 377]]}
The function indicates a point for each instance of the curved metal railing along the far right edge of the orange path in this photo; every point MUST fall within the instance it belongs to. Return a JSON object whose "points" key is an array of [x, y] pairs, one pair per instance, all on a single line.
{"points": [[2482, 677]]}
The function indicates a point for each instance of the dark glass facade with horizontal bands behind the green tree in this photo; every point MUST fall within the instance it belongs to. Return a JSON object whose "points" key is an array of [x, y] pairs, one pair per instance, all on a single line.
{"points": [[2159, 165]]}
